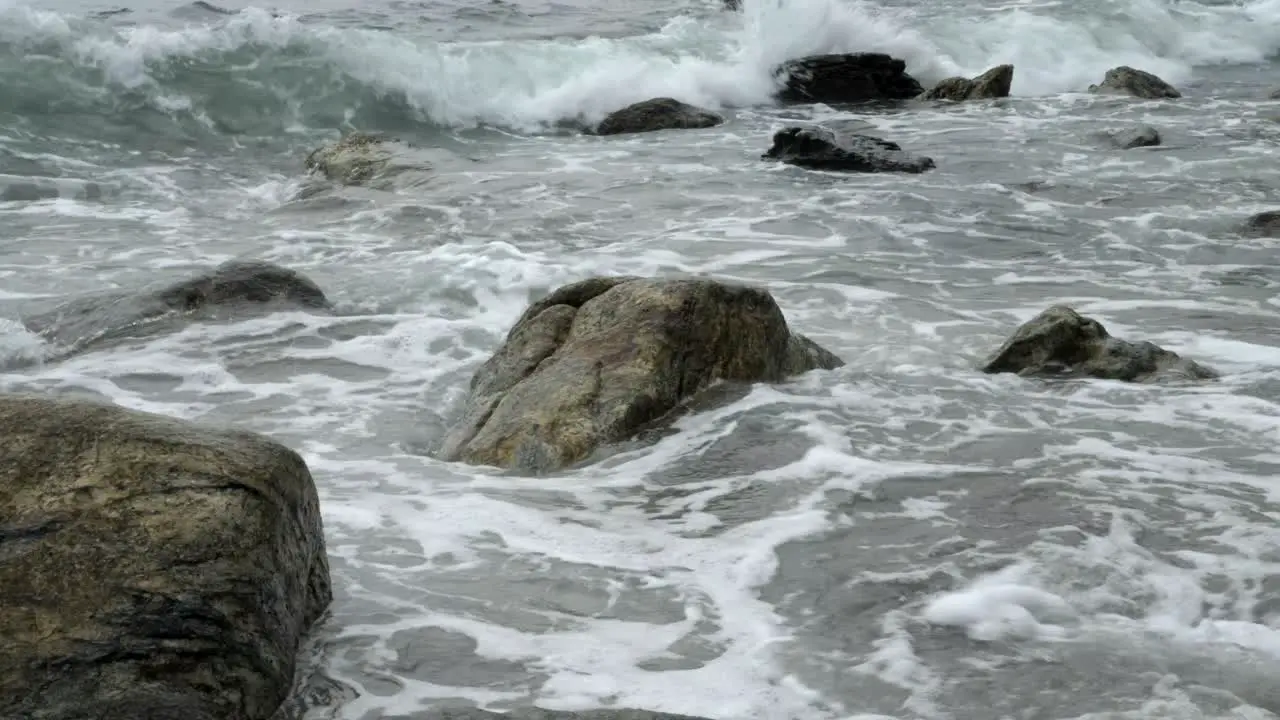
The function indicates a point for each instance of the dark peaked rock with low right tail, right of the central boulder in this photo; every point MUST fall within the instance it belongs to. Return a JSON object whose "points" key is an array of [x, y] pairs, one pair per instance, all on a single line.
{"points": [[1063, 343]]}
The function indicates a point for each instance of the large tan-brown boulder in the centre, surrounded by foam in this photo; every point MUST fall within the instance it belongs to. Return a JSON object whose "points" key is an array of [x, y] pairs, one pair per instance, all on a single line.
{"points": [[600, 361]]}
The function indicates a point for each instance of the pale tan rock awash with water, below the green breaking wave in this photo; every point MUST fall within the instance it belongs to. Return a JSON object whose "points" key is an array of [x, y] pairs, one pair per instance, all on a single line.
{"points": [[376, 162]]}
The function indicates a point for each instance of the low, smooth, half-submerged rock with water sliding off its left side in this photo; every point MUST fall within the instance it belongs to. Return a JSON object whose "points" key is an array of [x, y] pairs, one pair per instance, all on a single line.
{"points": [[230, 290]]}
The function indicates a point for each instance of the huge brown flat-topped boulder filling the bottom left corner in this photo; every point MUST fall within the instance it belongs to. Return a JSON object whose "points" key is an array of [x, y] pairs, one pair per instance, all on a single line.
{"points": [[150, 568]]}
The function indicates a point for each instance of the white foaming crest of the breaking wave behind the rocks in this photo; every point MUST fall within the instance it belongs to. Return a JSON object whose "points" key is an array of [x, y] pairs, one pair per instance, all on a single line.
{"points": [[703, 56]]}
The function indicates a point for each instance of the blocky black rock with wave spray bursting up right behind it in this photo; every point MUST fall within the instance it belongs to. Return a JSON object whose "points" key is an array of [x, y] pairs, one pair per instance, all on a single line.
{"points": [[860, 78]]}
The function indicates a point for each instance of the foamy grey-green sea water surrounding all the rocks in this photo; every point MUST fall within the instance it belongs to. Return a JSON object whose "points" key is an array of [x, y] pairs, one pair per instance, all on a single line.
{"points": [[902, 539]]}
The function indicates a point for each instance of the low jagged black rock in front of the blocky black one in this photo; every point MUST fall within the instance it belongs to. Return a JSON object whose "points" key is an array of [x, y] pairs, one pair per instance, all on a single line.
{"points": [[821, 149]]}
